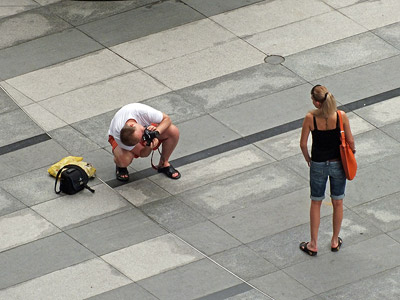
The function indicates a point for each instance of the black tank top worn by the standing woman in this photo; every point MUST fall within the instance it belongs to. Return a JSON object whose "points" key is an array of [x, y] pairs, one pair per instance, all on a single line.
{"points": [[326, 143]]}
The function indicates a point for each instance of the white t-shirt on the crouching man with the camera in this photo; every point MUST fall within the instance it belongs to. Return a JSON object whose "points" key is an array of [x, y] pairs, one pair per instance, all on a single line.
{"points": [[141, 113]]}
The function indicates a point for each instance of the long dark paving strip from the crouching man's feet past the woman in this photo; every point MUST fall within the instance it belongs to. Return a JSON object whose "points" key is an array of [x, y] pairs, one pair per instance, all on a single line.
{"points": [[240, 142]]}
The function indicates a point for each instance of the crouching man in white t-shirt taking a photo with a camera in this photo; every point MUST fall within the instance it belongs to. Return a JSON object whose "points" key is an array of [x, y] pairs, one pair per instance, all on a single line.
{"points": [[126, 138]]}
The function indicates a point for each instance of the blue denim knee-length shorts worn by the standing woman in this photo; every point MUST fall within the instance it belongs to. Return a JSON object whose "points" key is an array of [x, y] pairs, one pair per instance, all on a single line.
{"points": [[319, 173]]}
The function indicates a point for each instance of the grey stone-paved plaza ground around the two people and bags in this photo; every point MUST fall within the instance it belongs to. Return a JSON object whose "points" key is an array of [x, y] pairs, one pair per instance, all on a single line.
{"points": [[231, 226]]}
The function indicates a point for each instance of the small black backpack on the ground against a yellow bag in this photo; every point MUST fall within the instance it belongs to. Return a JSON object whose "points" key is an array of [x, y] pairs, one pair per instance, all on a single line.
{"points": [[74, 179]]}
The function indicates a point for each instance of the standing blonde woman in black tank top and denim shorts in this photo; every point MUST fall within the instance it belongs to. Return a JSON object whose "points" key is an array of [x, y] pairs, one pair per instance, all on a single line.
{"points": [[324, 163]]}
